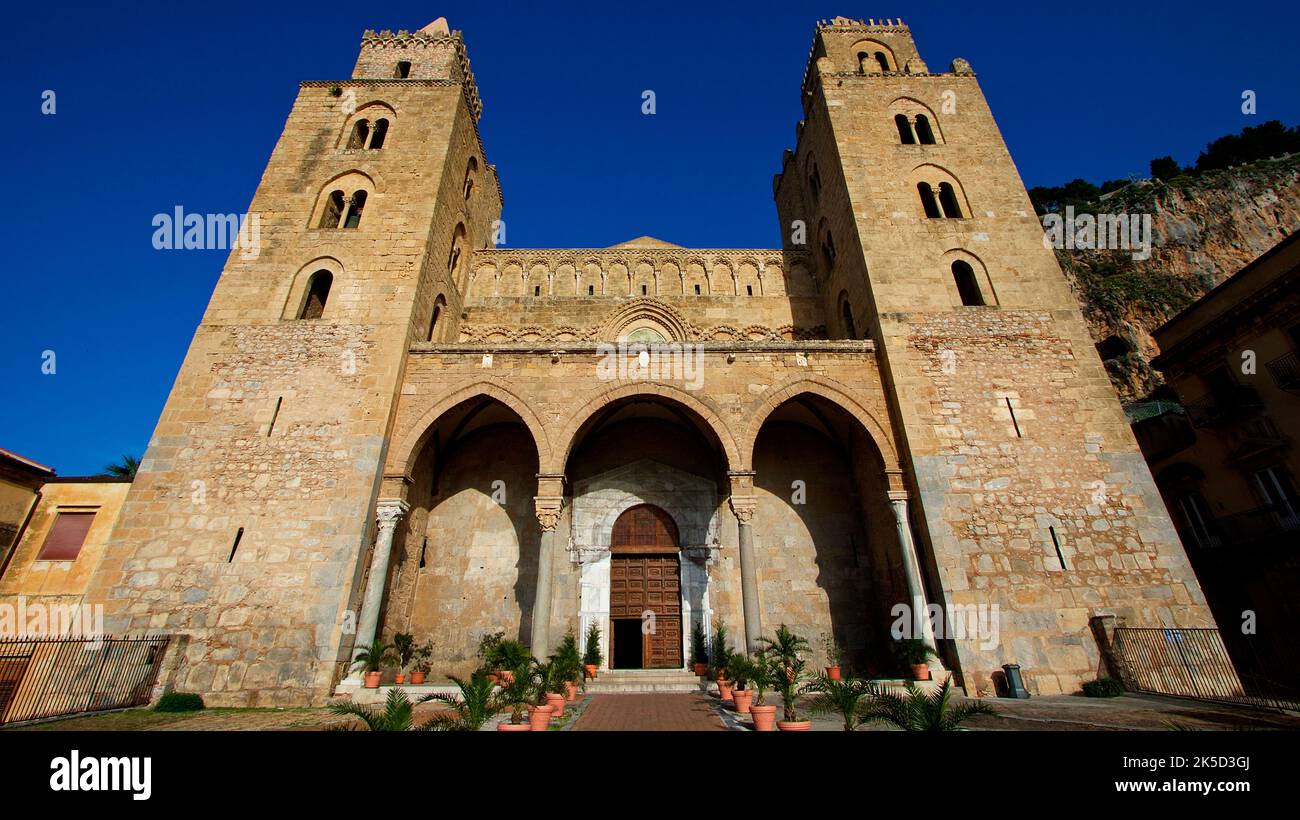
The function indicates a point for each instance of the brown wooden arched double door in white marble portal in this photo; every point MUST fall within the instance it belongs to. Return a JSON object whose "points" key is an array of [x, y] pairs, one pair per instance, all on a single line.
{"points": [[645, 592]]}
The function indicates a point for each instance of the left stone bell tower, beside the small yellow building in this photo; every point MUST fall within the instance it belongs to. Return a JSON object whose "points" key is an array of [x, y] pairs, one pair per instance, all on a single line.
{"points": [[250, 526]]}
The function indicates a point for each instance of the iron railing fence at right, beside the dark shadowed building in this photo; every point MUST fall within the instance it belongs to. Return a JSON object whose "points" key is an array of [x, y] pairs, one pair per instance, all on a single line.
{"points": [[1195, 663]]}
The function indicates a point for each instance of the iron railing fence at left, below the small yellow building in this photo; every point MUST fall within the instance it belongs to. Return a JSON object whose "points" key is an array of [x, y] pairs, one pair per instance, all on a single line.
{"points": [[53, 678]]}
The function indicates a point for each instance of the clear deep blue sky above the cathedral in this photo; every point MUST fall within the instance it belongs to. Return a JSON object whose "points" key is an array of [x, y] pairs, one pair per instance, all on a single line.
{"points": [[164, 105]]}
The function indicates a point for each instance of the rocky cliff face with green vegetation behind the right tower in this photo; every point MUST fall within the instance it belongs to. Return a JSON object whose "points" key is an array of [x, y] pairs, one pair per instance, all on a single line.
{"points": [[1204, 229]]}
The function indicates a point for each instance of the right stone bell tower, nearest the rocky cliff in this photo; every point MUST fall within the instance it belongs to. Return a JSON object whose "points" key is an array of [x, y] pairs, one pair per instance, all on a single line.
{"points": [[1032, 493]]}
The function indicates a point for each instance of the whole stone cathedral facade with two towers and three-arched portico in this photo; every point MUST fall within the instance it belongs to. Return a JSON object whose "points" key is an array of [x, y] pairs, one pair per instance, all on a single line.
{"points": [[387, 423]]}
